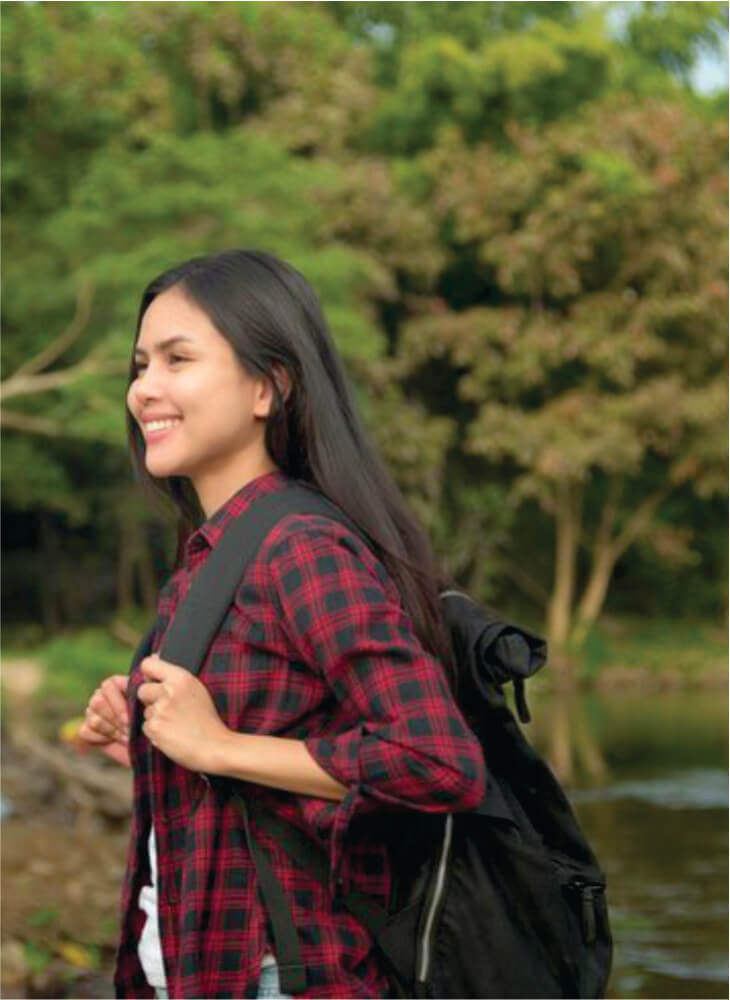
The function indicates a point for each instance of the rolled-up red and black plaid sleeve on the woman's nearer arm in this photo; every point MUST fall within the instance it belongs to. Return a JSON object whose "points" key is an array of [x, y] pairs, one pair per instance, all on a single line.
{"points": [[401, 739]]}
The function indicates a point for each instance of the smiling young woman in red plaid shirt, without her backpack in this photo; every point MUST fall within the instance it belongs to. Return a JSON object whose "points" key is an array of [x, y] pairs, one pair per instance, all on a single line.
{"points": [[326, 688]]}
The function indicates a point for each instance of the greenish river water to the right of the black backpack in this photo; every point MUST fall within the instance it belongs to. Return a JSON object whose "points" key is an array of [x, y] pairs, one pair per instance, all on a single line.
{"points": [[655, 809]]}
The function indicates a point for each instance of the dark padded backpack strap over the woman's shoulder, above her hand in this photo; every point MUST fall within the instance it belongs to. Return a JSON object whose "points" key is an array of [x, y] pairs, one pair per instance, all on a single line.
{"points": [[199, 617]]}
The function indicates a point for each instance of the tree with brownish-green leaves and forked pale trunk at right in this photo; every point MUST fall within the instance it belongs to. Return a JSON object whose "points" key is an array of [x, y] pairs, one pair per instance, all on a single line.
{"points": [[593, 352]]}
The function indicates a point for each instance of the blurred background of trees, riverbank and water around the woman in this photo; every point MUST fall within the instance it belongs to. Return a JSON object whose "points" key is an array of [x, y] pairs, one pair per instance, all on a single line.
{"points": [[516, 217]]}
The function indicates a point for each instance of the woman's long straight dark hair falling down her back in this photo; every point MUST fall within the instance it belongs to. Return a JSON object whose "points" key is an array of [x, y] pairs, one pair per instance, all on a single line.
{"points": [[272, 319]]}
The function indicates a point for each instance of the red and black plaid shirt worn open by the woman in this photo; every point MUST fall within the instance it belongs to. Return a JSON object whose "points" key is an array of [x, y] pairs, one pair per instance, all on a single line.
{"points": [[317, 647]]}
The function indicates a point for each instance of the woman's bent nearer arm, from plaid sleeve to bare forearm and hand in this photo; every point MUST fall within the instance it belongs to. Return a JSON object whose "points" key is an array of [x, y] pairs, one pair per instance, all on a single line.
{"points": [[401, 738]]}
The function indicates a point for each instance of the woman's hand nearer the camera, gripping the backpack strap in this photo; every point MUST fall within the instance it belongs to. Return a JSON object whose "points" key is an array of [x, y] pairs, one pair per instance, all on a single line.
{"points": [[180, 717]]}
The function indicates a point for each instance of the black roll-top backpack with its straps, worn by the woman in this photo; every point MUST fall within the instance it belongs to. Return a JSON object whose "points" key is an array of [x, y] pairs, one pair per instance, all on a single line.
{"points": [[506, 900]]}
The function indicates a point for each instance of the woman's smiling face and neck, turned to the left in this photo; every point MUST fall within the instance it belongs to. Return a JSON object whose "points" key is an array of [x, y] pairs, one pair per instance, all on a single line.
{"points": [[201, 415]]}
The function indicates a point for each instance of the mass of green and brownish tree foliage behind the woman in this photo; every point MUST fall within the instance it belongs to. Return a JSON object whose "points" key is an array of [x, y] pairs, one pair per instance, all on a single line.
{"points": [[514, 214]]}
